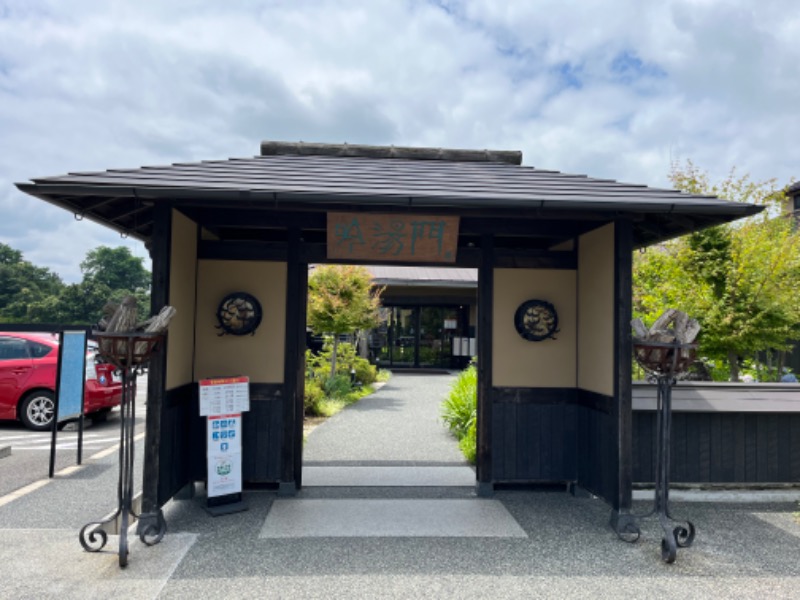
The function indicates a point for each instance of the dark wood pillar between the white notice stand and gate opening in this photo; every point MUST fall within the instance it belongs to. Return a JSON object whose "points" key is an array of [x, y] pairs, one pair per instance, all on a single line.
{"points": [[294, 353]]}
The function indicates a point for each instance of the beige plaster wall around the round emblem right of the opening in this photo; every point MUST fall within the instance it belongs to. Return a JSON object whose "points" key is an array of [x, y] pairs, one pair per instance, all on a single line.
{"points": [[517, 362]]}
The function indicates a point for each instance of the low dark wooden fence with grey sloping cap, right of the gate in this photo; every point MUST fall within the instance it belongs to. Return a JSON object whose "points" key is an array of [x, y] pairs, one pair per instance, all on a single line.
{"points": [[722, 433]]}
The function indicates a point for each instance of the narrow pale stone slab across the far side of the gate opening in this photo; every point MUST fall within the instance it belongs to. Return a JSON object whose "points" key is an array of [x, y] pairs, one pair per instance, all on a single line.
{"points": [[388, 477]]}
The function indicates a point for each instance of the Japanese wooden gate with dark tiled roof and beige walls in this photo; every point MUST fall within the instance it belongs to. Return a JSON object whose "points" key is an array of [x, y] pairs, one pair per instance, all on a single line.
{"points": [[551, 410]]}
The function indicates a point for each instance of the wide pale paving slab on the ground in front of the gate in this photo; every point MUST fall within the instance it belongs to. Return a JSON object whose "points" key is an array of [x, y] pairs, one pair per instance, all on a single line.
{"points": [[296, 518]]}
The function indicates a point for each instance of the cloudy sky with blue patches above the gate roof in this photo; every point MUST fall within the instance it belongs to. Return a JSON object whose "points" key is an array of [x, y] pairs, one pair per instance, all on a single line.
{"points": [[614, 88]]}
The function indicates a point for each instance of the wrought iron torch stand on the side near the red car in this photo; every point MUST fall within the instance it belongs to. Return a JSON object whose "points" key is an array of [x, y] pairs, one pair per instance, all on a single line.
{"points": [[127, 352]]}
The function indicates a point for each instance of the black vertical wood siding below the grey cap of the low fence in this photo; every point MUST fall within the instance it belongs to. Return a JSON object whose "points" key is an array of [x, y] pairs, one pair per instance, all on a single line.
{"points": [[721, 447]]}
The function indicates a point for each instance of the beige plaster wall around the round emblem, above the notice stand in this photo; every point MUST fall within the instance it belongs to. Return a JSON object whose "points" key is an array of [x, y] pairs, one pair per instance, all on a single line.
{"points": [[259, 356]]}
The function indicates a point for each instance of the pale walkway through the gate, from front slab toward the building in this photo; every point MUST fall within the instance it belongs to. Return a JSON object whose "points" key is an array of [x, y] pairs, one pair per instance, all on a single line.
{"points": [[392, 440]]}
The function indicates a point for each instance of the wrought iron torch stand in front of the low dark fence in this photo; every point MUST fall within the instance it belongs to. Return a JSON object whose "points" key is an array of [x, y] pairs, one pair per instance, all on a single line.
{"points": [[664, 361]]}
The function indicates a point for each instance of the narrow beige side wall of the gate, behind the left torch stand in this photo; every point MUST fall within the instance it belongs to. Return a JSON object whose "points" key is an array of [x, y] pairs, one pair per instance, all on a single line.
{"points": [[182, 284]]}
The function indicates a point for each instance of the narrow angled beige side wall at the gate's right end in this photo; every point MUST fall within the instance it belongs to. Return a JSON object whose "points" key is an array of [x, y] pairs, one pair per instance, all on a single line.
{"points": [[596, 311]]}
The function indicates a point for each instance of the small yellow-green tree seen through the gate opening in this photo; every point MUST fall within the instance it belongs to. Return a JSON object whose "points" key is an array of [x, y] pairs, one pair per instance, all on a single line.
{"points": [[341, 300]]}
